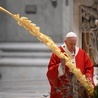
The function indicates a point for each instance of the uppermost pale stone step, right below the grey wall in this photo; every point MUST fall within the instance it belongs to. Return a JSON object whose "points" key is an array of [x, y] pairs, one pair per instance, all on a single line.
{"points": [[23, 46]]}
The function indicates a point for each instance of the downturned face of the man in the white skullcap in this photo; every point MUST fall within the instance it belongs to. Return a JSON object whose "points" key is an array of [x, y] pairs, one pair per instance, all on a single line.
{"points": [[71, 43]]}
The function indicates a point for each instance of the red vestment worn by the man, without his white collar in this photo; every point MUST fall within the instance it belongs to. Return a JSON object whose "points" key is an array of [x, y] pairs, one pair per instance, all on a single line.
{"points": [[62, 87]]}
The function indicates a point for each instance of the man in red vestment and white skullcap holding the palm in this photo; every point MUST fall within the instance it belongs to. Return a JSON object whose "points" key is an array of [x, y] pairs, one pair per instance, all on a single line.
{"points": [[63, 83]]}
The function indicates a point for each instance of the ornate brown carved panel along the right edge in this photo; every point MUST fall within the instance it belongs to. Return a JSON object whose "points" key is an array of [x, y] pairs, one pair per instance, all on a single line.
{"points": [[89, 30]]}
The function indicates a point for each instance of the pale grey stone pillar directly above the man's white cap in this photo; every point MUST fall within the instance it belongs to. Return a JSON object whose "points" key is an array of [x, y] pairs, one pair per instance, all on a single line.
{"points": [[67, 10]]}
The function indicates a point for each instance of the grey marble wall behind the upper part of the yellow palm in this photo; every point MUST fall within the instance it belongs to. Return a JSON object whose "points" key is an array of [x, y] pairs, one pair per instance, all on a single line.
{"points": [[47, 17]]}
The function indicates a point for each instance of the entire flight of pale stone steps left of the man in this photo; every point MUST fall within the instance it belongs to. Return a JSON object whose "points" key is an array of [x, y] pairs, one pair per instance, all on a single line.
{"points": [[23, 69]]}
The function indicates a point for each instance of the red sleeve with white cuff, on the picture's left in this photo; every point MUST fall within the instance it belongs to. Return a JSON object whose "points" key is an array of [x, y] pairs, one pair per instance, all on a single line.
{"points": [[54, 70]]}
